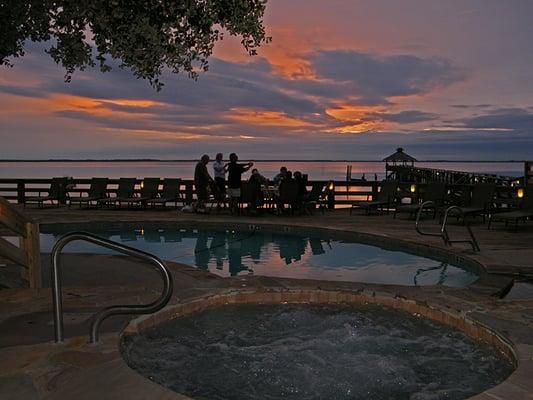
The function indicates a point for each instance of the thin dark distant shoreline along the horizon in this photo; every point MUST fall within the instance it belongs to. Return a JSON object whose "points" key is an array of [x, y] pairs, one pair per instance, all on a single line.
{"points": [[128, 160]]}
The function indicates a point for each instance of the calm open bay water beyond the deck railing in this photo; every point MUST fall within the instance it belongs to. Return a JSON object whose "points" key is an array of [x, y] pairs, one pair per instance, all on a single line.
{"points": [[316, 170]]}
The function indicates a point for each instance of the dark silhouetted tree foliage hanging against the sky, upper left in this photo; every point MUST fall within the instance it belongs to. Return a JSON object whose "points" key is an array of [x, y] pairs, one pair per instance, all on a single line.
{"points": [[147, 36]]}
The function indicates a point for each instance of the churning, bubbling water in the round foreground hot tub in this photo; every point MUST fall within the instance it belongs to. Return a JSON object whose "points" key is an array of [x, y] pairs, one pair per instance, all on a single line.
{"points": [[313, 352]]}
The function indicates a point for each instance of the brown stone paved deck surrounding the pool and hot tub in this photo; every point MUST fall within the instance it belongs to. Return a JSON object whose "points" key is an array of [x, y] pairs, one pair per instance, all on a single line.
{"points": [[33, 367]]}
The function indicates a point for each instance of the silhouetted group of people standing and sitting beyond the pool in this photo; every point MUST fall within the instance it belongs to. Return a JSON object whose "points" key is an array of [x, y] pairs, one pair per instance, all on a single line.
{"points": [[220, 187]]}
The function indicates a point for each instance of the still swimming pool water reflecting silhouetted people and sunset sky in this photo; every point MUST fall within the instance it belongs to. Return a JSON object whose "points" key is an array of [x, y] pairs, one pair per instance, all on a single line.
{"points": [[229, 252]]}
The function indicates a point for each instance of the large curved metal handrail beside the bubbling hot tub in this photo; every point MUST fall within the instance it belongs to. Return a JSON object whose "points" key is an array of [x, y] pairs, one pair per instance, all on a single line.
{"points": [[111, 310]]}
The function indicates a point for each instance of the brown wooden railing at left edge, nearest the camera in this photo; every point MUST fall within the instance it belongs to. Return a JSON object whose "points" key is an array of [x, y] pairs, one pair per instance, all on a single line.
{"points": [[27, 254]]}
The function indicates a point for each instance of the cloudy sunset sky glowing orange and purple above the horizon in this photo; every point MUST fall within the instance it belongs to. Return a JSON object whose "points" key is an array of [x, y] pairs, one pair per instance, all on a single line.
{"points": [[341, 79]]}
